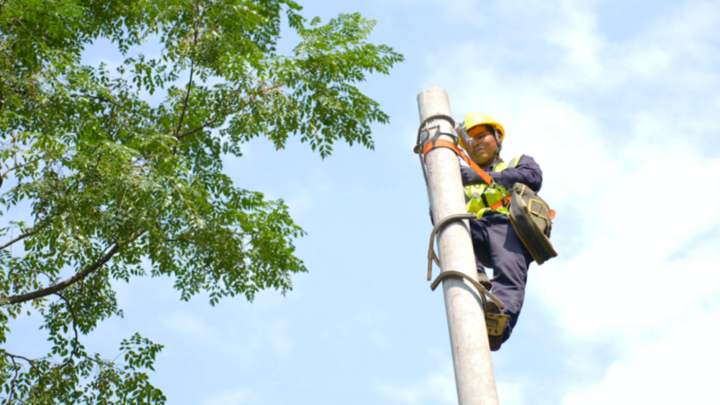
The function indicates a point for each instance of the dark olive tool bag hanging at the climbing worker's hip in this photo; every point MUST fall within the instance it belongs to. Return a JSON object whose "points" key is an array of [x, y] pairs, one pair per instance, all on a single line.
{"points": [[532, 219]]}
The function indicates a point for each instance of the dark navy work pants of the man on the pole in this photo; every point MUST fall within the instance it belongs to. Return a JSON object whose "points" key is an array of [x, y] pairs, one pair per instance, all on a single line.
{"points": [[497, 246]]}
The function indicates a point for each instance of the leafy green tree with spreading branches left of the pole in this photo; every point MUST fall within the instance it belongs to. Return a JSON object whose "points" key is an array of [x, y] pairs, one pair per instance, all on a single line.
{"points": [[115, 181]]}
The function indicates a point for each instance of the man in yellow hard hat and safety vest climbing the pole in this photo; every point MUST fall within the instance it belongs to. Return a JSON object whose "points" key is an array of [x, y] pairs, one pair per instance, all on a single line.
{"points": [[495, 242]]}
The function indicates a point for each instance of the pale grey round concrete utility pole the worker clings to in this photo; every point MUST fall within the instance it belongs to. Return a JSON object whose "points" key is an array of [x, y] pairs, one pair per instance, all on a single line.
{"points": [[474, 374]]}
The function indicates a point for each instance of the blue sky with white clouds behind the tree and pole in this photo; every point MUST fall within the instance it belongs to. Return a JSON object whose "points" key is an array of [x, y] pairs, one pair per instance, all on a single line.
{"points": [[617, 101]]}
